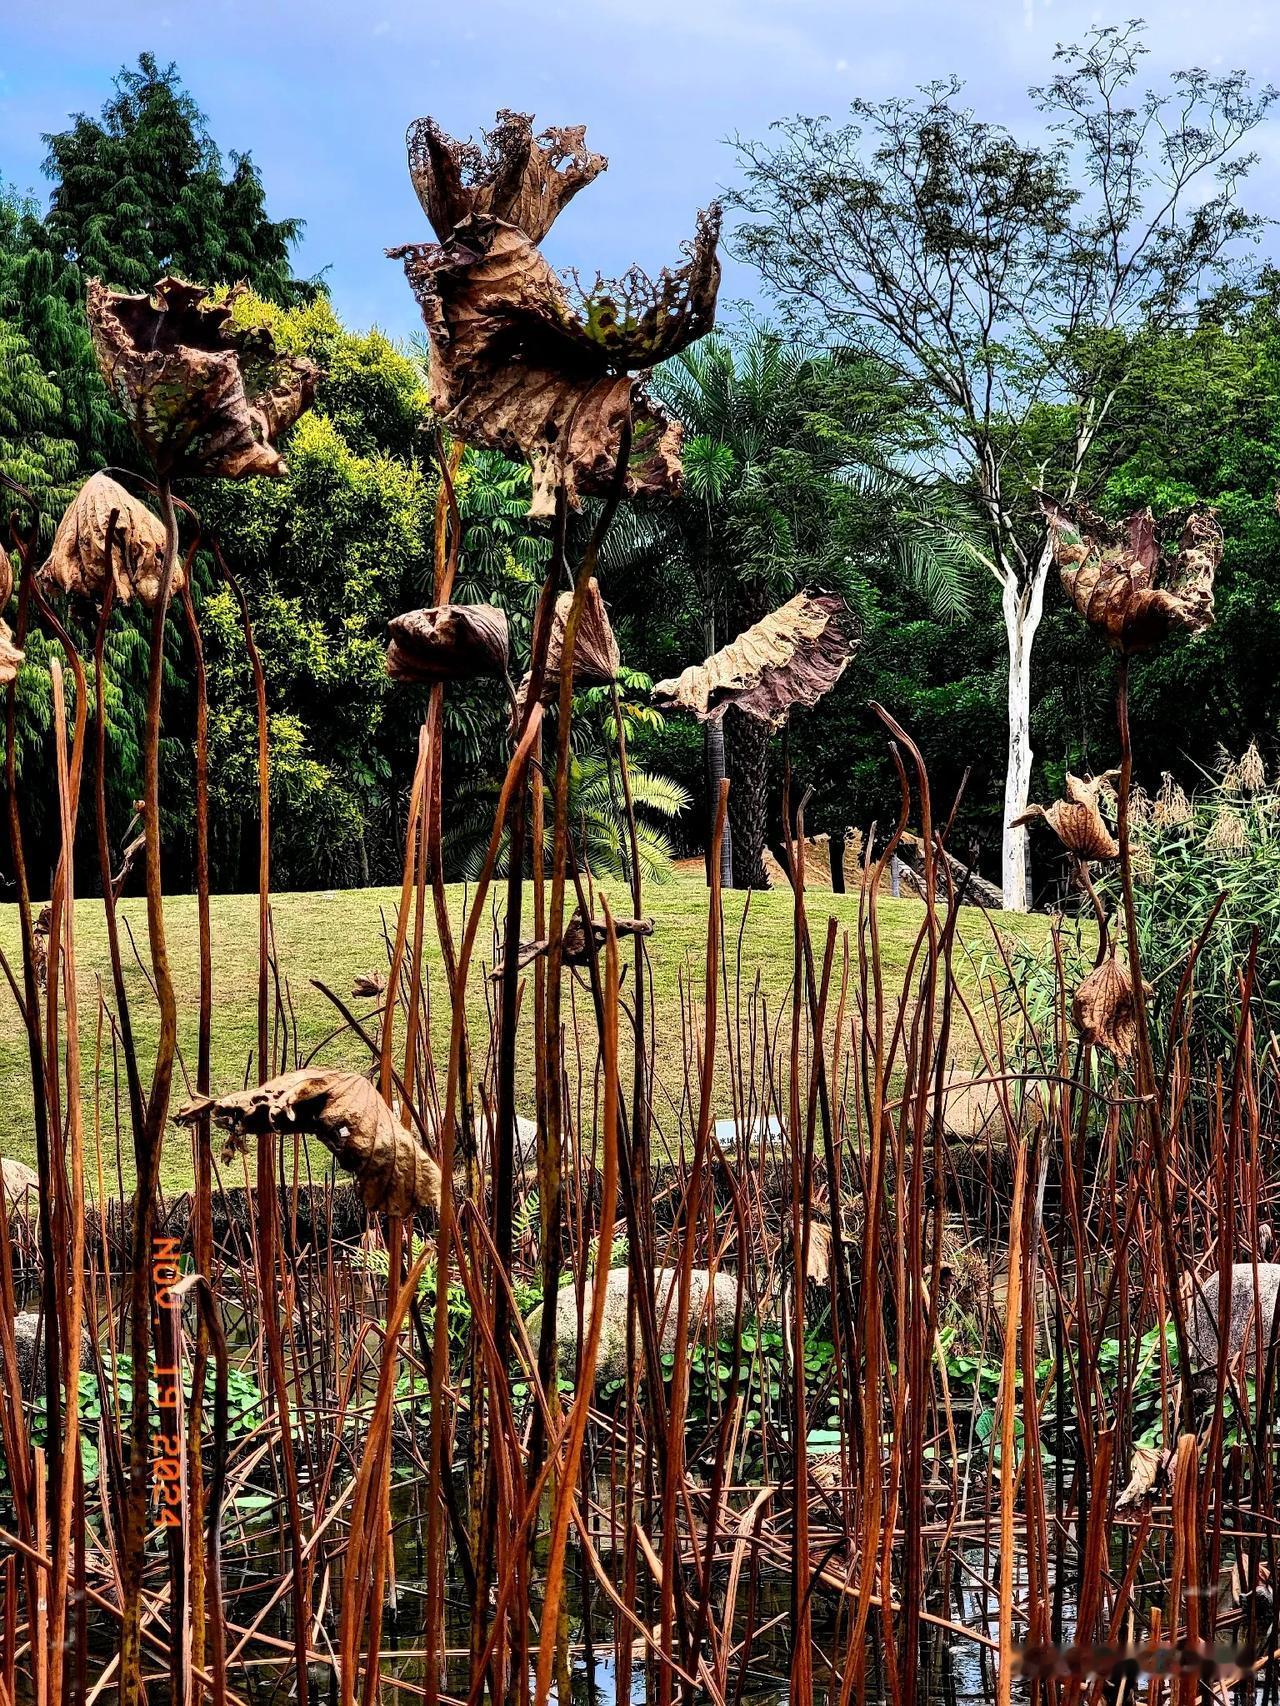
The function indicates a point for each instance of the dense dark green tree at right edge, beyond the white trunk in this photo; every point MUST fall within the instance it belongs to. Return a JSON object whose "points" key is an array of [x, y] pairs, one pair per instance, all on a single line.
{"points": [[1197, 421]]}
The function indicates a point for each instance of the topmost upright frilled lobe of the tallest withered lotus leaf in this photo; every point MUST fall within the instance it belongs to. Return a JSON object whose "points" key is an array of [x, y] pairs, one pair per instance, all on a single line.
{"points": [[516, 177]]}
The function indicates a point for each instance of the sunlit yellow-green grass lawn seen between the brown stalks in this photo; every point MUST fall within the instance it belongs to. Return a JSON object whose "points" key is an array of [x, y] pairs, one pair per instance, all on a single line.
{"points": [[337, 936]]}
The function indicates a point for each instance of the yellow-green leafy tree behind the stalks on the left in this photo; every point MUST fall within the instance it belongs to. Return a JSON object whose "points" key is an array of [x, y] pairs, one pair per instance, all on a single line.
{"points": [[325, 557]]}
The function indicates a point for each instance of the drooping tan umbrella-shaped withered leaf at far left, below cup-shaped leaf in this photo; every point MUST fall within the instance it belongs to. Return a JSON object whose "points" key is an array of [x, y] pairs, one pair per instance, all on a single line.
{"points": [[79, 557]]}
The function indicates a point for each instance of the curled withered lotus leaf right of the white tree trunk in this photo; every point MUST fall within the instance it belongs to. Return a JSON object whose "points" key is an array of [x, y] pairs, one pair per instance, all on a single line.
{"points": [[1112, 576]]}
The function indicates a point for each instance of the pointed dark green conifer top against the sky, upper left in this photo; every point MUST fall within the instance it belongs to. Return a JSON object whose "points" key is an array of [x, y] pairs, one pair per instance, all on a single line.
{"points": [[141, 192]]}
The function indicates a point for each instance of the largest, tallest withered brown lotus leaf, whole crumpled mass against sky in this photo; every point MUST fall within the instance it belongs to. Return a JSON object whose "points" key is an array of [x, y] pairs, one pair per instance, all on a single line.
{"points": [[516, 364]]}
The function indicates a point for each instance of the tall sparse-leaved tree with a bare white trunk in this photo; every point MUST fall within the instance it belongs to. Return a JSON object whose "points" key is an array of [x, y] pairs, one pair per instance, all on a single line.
{"points": [[1006, 277]]}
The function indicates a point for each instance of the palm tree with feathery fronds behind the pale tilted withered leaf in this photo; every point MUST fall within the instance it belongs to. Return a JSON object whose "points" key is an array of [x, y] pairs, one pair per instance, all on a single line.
{"points": [[789, 455]]}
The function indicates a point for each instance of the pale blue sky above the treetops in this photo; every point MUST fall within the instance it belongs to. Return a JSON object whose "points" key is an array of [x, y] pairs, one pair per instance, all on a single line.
{"points": [[322, 93]]}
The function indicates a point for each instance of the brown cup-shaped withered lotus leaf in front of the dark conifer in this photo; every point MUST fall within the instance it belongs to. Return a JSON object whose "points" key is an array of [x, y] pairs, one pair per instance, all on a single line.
{"points": [[202, 393]]}
